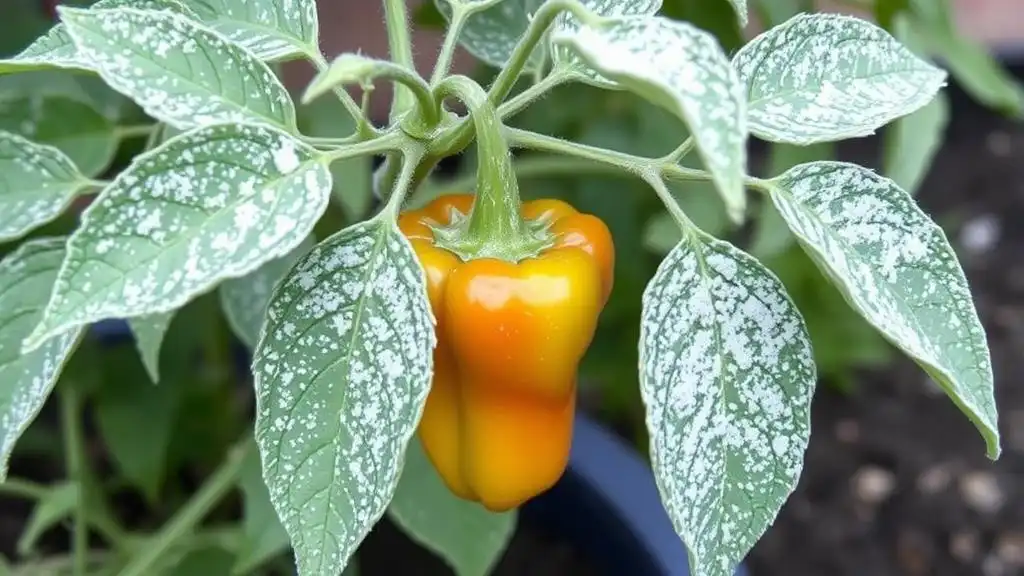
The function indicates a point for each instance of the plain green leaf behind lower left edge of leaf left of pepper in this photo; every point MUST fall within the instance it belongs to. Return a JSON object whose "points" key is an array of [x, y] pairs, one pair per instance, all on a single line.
{"points": [[264, 538]]}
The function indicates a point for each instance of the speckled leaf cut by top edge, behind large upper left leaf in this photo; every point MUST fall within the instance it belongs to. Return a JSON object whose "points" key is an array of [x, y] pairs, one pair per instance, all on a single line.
{"points": [[274, 30]]}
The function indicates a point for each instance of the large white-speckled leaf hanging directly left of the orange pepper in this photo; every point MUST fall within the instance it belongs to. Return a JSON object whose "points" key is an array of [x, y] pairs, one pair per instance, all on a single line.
{"points": [[342, 376]]}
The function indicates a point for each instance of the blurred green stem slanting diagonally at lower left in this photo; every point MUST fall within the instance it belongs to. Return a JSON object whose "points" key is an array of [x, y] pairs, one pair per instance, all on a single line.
{"points": [[184, 523]]}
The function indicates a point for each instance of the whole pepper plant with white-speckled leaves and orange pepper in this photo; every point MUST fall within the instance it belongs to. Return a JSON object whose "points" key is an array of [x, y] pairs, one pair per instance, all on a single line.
{"points": [[467, 322]]}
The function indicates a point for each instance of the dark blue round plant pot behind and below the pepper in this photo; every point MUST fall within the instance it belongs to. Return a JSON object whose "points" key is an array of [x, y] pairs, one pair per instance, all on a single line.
{"points": [[607, 505]]}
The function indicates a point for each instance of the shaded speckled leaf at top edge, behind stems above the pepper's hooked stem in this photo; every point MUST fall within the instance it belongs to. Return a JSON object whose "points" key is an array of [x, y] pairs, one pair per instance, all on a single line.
{"points": [[492, 35]]}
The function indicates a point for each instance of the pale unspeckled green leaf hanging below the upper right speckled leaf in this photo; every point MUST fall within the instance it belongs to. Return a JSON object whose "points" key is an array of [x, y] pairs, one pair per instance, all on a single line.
{"points": [[913, 142]]}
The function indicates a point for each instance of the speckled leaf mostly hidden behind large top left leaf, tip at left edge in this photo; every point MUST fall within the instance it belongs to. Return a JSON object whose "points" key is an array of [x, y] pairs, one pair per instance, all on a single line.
{"points": [[56, 49]]}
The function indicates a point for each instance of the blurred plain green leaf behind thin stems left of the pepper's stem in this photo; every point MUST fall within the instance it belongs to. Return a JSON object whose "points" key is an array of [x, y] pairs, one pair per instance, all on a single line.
{"points": [[353, 178]]}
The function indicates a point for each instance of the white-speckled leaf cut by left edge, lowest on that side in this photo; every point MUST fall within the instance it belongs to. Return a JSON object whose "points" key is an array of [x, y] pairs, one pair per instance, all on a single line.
{"points": [[27, 276]]}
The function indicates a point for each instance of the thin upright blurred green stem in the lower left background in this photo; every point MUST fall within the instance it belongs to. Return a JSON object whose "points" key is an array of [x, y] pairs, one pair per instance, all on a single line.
{"points": [[71, 417]]}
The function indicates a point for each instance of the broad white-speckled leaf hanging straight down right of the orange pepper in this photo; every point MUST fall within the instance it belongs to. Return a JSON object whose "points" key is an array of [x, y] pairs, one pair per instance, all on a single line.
{"points": [[728, 376]]}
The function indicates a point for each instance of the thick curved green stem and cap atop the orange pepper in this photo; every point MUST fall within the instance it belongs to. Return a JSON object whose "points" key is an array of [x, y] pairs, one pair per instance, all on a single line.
{"points": [[496, 227]]}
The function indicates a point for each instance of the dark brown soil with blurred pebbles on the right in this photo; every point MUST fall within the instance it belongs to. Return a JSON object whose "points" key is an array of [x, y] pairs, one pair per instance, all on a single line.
{"points": [[897, 481]]}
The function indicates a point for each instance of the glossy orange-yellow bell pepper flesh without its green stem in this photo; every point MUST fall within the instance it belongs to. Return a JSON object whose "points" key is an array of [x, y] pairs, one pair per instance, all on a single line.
{"points": [[498, 422]]}
